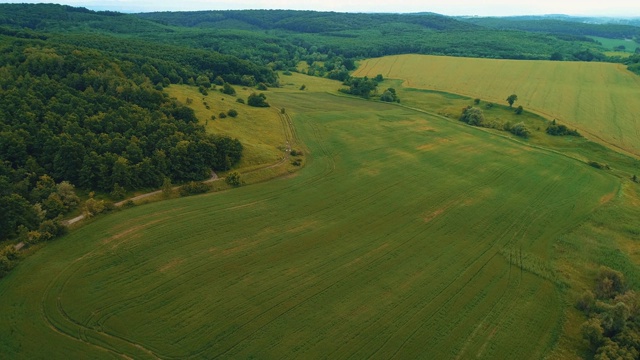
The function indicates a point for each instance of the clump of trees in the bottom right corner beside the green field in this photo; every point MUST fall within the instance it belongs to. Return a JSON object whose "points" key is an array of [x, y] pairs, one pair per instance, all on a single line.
{"points": [[612, 329]]}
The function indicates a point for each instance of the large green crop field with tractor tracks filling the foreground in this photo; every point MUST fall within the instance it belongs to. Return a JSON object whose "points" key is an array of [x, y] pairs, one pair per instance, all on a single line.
{"points": [[407, 235]]}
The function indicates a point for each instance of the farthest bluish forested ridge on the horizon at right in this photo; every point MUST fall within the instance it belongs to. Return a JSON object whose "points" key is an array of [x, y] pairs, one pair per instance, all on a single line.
{"points": [[568, 25]]}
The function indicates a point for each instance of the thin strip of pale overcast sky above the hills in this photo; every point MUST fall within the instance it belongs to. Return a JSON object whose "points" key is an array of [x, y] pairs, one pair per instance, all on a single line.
{"points": [[626, 8]]}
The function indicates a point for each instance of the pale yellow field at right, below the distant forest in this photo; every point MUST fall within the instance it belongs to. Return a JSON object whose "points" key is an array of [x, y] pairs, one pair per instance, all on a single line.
{"points": [[599, 99]]}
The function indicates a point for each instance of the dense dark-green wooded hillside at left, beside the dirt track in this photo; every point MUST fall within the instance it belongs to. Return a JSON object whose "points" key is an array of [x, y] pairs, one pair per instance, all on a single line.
{"points": [[78, 118]]}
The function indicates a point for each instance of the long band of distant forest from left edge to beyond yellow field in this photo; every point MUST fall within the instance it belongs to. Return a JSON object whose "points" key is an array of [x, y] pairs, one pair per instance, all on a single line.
{"points": [[280, 38]]}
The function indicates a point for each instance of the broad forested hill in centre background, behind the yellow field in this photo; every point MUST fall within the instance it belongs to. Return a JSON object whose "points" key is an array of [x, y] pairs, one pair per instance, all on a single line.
{"points": [[352, 35]]}
